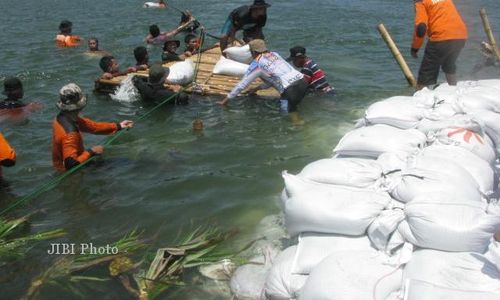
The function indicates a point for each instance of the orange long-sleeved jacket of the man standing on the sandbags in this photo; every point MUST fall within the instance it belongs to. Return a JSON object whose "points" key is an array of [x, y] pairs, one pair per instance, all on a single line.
{"points": [[439, 19]]}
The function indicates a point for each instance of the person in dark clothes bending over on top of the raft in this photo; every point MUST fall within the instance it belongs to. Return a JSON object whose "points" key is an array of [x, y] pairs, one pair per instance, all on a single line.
{"points": [[251, 19]]}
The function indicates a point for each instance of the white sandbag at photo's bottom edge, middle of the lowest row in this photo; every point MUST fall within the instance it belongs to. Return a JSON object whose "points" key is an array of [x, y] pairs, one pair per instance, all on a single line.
{"points": [[352, 275]]}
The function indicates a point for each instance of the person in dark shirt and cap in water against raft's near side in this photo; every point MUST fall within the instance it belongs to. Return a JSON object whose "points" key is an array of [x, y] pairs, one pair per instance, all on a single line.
{"points": [[153, 89]]}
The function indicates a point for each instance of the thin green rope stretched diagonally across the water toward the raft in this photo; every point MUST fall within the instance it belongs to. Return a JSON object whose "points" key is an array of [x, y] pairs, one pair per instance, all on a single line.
{"points": [[54, 182]]}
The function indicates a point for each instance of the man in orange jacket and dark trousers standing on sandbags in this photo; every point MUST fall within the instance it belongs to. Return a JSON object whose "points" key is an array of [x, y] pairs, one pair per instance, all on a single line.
{"points": [[447, 35]]}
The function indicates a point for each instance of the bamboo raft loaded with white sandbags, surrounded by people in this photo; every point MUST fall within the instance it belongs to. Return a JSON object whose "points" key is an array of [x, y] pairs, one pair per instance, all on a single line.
{"points": [[207, 83]]}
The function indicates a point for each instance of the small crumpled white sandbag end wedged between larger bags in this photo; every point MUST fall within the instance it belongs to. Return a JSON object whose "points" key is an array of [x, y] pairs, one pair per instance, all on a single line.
{"points": [[381, 230]]}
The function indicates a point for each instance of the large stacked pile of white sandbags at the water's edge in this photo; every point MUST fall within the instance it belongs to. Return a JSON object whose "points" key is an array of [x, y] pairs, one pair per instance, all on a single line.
{"points": [[404, 209]]}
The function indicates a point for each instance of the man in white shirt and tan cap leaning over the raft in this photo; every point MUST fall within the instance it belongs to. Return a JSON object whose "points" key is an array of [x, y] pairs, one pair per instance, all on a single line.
{"points": [[275, 72]]}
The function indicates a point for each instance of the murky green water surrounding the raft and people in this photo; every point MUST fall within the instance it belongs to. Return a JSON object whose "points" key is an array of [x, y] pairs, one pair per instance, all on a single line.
{"points": [[161, 177]]}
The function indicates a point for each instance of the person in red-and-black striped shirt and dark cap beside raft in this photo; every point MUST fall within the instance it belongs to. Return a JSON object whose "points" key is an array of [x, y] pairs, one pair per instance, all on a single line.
{"points": [[312, 73]]}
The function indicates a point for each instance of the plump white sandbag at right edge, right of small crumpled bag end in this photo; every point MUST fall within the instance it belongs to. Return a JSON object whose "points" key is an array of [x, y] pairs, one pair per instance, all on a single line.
{"points": [[438, 221]]}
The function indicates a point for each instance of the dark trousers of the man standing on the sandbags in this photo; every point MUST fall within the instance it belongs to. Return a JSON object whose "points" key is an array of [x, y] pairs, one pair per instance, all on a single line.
{"points": [[437, 55]]}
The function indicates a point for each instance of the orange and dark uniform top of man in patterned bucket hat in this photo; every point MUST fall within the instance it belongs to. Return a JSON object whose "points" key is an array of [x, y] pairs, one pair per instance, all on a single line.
{"points": [[67, 141]]}
